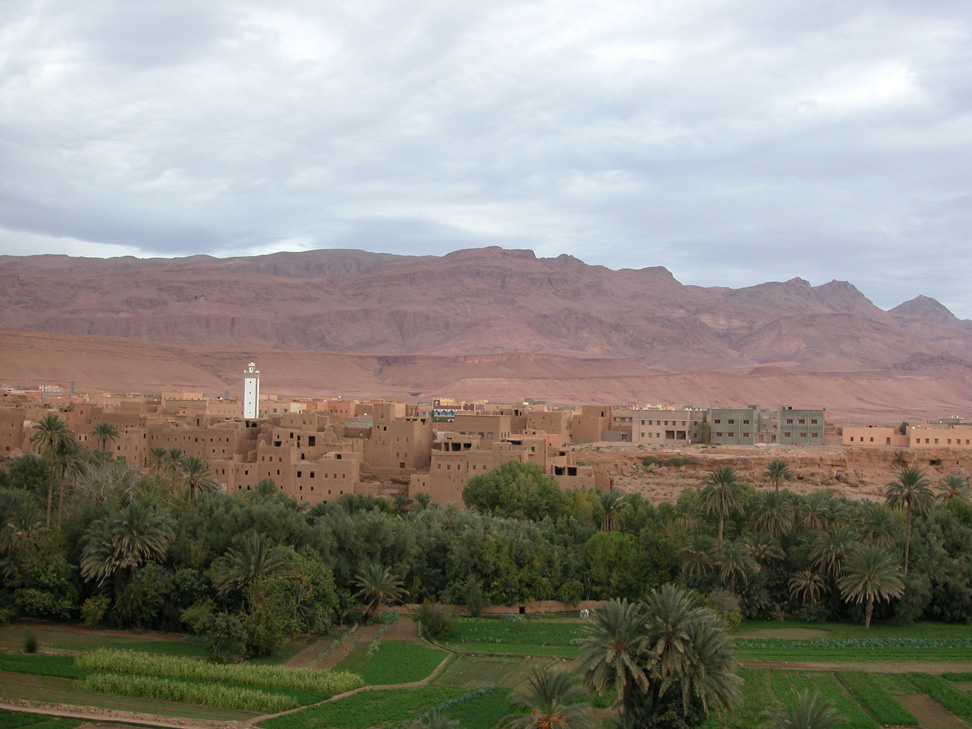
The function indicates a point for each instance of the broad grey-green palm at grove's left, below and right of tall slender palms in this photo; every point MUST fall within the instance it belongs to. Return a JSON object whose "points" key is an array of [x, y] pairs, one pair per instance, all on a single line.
{"points": [[123, 541]]}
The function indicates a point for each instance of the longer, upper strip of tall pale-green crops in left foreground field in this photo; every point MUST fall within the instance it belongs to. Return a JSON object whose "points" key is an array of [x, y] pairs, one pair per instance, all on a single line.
{"points": [[146, 664]]}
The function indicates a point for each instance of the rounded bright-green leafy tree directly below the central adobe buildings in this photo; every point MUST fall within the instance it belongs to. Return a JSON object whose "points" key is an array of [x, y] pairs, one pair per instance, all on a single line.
{"points": [[517, 490]]}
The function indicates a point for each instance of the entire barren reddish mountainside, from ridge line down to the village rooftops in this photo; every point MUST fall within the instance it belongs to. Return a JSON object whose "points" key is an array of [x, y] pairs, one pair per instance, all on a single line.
{"points": [[488, 323]]}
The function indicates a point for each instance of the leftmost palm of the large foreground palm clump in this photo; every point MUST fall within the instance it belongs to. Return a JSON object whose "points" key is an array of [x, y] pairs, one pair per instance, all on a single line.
{"points": [[613, 648]]}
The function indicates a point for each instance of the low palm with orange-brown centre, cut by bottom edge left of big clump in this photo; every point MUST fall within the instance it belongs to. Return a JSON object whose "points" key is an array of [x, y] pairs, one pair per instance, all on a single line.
{"points": [[552, 701]]}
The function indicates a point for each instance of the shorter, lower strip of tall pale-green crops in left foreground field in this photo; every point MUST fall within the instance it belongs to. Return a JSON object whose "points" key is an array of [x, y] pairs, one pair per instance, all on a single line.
{"points": [[208, 694]]}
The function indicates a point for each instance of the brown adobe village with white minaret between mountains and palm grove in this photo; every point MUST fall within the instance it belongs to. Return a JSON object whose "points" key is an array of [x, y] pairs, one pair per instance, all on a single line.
{"points": [[319, 449]]}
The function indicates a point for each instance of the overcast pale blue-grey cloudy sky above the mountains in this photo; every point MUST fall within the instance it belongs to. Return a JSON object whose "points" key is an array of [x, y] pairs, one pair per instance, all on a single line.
{"points": [[731, 142]]}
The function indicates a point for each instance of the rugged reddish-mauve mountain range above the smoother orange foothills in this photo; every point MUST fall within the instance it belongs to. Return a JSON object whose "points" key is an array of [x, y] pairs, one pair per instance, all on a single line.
{"points": [[474, 302]]}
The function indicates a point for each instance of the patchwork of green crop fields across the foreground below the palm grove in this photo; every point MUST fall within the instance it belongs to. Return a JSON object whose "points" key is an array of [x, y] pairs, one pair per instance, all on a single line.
{"points": [[493, 659]]}
